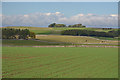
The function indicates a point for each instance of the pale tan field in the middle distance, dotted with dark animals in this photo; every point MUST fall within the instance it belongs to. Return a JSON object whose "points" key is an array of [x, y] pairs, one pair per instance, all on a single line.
{"points": [[74, 39]]}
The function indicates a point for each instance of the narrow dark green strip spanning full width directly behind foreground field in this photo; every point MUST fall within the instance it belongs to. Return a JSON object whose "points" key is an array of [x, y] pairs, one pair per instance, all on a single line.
{"points": [[33, 43]]}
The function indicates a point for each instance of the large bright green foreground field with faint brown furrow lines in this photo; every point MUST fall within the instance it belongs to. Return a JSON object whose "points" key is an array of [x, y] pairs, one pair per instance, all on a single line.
{"points": [[56, 62]]}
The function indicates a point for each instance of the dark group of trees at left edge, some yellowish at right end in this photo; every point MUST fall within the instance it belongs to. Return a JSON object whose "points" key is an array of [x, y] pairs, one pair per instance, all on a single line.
{"points": [[10, 33]]}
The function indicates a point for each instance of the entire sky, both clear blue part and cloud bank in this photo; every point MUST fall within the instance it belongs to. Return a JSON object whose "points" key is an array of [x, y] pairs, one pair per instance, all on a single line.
{"points": [[41, 14]]}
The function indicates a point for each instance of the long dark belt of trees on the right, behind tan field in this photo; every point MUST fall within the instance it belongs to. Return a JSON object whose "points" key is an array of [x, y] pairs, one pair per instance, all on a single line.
{"points": [[77, 32]]}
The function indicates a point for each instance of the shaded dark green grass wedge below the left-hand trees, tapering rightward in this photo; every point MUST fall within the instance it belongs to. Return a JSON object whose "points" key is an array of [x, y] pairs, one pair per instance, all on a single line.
{"points": [[29, 43]]}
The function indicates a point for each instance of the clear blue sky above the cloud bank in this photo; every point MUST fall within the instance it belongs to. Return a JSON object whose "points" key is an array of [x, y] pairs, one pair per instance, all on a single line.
{"points": [[67, 8]]}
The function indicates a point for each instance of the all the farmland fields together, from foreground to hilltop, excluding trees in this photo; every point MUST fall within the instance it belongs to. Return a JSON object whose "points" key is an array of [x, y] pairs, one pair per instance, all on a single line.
{"points": [[30, 58]]}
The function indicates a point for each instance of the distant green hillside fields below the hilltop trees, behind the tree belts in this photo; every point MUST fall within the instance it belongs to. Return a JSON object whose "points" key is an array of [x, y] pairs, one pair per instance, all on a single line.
{"points": [[45, 30]]}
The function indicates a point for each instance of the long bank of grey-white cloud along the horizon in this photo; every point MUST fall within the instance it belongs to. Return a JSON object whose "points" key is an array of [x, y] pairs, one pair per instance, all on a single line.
{"points": [[44, 19]]}
